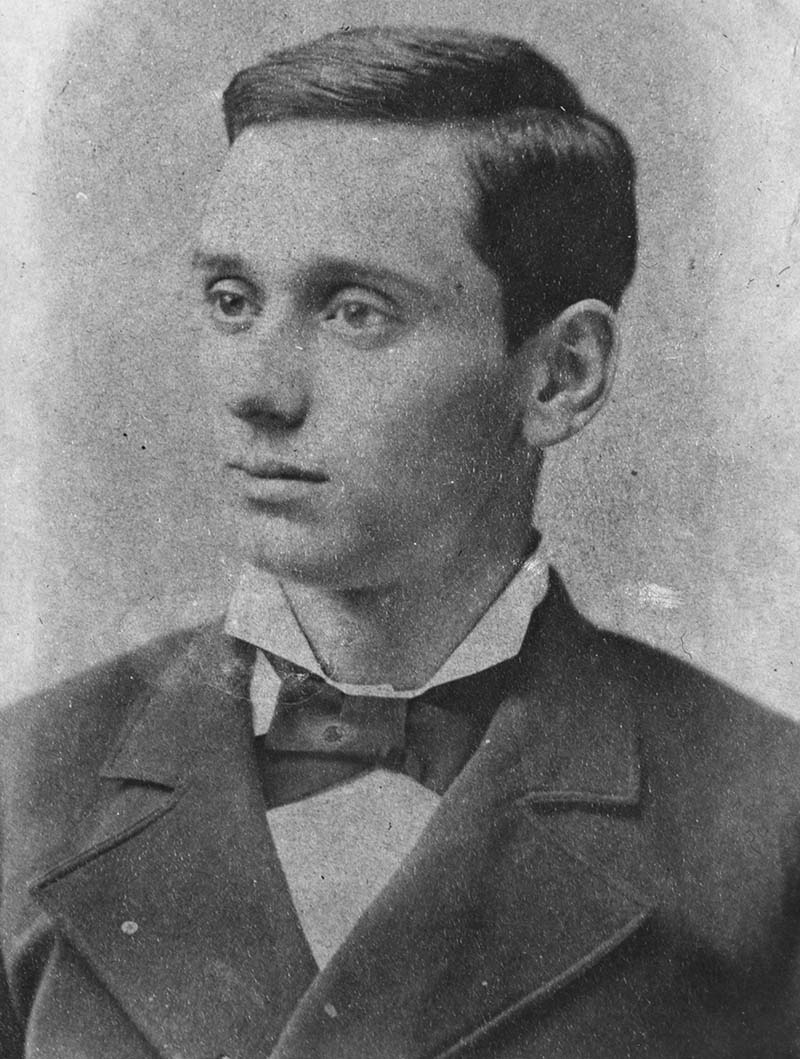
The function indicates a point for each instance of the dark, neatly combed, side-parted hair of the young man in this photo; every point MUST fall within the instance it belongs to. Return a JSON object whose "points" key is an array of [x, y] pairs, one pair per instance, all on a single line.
{"points": [[555, 212]]}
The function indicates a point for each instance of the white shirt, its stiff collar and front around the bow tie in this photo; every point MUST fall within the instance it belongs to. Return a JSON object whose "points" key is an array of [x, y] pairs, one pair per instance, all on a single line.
{"points": [[340, 848]]}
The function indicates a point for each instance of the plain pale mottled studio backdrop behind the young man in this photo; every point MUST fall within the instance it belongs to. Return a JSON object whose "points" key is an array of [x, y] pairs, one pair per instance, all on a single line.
{"points": [[675, 517]]}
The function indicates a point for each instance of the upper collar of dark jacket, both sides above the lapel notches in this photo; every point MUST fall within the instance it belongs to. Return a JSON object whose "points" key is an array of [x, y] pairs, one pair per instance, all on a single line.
{"points": [[565, 734]]}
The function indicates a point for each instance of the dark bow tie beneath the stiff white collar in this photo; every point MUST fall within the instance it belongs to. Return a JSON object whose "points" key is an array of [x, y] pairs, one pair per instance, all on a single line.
{"points": [[321, 738]]}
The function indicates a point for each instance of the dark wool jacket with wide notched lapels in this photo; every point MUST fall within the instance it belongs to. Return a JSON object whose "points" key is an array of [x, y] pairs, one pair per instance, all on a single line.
{"points": [[615, 874]]}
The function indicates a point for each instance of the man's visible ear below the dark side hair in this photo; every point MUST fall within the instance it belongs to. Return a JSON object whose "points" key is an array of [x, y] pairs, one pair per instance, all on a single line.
{"points": [[570, 370]]}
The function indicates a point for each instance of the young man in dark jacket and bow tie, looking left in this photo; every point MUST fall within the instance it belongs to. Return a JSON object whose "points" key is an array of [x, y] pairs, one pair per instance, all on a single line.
{"points": [[404, 802]]}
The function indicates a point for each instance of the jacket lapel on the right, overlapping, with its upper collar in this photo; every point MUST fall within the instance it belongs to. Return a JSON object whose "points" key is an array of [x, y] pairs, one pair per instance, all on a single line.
{"points": [[504, 902]]}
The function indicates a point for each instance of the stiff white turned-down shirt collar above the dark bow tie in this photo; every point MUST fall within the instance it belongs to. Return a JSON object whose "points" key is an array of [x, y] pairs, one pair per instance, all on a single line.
{"points": [[261, 616]]}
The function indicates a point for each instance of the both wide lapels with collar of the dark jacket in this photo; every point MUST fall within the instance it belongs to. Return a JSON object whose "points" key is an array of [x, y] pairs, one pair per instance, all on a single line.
{"points": [[497, 907]]}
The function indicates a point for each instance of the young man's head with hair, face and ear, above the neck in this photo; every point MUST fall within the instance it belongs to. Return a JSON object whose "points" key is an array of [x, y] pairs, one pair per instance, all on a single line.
{"points": [[411, 263]]}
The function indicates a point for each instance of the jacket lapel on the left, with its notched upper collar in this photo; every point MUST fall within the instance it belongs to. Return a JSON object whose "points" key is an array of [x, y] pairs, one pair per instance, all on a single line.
{"points": [[176, 896]]}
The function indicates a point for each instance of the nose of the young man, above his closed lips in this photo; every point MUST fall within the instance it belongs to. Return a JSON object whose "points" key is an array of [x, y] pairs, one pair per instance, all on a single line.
{"points": [[269, 388]]}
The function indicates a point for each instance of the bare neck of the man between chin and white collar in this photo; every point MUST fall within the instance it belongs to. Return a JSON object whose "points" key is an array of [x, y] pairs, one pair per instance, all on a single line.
{"points": [[402, 633]]}
